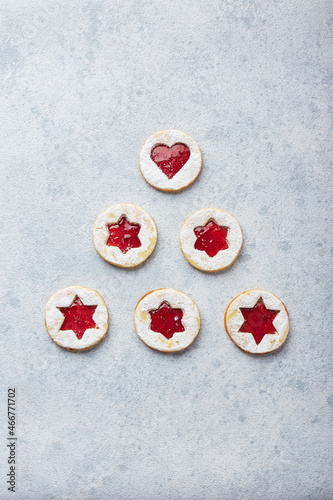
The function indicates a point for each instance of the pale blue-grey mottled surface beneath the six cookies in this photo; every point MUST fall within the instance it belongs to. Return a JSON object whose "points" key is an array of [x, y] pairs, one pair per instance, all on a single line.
{"points": [[83, 85]]}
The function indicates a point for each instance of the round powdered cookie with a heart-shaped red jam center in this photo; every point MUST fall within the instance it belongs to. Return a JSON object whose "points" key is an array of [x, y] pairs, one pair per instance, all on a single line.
{"points": [[170, 160]]}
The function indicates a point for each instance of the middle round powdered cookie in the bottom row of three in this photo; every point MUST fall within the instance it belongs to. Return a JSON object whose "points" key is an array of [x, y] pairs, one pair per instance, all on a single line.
{"points": [[167, 320]]}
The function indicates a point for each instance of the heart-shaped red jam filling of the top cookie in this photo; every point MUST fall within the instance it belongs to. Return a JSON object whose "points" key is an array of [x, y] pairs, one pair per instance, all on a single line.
{"points": [[170, 160]]}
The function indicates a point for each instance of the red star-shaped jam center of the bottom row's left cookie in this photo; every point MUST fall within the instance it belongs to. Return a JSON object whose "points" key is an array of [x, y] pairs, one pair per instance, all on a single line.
{"points": [[78, 317]]}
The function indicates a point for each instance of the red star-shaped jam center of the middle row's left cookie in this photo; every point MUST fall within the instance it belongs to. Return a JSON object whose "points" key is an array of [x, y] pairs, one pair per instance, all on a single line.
{"points": [[124, 235]]}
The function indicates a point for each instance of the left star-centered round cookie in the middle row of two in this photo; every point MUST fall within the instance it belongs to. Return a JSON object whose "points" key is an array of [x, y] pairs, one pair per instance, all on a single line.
{"points": [[125, 235]]}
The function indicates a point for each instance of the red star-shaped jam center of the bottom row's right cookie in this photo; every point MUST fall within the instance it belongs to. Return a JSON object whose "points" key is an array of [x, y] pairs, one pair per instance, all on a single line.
{"points": [[258, 320]]}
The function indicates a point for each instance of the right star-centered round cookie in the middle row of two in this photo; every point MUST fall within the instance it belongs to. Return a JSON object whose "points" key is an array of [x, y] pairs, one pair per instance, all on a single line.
{"points": [[211, 239]]}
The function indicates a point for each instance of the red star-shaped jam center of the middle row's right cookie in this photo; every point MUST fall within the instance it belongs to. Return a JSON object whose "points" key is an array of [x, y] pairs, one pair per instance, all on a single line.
{"points": [[211, 238]]}
